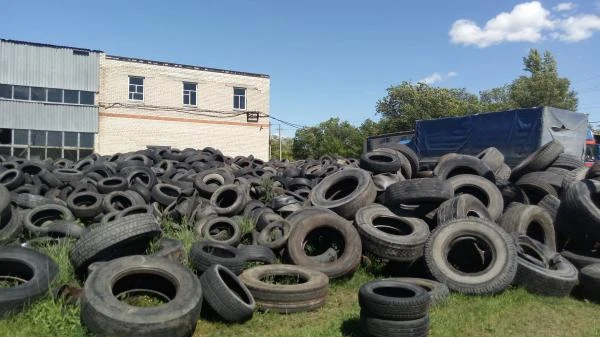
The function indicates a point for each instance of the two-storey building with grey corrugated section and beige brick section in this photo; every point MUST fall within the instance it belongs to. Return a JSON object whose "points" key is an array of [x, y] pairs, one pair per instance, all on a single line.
{"points": [[58, 101]]}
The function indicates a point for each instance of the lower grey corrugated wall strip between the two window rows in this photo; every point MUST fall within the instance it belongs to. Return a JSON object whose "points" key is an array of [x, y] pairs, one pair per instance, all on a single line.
{"points": [[41, 116]]}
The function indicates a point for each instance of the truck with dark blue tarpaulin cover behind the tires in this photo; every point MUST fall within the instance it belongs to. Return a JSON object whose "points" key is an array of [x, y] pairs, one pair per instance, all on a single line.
{"points": [[516, 133]]}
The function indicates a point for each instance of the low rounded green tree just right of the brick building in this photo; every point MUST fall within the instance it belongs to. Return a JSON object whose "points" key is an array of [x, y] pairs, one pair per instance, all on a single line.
{"points": [[331, 137]]}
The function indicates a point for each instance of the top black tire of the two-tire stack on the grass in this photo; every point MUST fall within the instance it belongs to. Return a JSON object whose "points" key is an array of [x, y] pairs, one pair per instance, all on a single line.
{"points": [[393, 300]]}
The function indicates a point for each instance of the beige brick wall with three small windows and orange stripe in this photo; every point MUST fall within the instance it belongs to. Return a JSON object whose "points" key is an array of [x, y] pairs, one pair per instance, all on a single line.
{"points": [[126, 125]]}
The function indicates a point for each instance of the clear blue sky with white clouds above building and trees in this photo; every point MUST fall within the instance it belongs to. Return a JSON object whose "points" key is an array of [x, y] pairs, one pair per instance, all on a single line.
{"points": [[335, 58]]}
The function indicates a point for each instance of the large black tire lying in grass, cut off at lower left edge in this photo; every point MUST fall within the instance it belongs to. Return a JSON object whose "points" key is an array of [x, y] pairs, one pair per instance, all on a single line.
{"points": [[34, 269]]}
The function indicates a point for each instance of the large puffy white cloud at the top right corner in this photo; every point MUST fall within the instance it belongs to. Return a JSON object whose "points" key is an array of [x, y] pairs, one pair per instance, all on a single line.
{"points": [[527, 22]]}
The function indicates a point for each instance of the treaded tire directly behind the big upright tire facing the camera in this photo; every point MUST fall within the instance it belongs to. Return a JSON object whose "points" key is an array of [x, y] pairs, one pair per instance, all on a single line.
{"points": [[461, 207]]}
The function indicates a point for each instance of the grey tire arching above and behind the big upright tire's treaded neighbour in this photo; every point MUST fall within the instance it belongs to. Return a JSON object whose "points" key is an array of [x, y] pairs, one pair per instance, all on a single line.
{"points": [[482, 189]]}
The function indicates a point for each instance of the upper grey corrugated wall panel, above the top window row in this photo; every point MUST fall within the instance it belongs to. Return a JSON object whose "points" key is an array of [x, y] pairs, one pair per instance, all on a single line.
{"points": [[50, 67]]}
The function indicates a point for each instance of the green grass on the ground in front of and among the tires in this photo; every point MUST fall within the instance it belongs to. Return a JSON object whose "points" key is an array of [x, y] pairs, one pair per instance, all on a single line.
{"points": [[512, 313]]}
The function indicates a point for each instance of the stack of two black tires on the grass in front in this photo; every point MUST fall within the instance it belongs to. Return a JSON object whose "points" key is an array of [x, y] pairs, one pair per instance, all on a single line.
{"points": [[393, 308]]}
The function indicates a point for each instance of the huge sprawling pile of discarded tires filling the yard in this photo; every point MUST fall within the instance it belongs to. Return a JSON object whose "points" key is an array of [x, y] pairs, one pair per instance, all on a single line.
{"points": [[477, 226]]}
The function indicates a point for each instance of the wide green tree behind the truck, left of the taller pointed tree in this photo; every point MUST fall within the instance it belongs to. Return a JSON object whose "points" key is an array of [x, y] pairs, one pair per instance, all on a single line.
{"points": [[407, 103]]}
